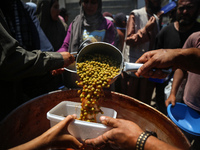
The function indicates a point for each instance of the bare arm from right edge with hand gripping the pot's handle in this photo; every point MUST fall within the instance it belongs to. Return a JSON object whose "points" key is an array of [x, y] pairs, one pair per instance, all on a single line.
{"points": [[185, 59]]}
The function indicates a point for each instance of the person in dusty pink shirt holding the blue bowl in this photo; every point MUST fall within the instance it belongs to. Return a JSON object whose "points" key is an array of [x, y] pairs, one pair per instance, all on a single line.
{"points": [[191, 96]]}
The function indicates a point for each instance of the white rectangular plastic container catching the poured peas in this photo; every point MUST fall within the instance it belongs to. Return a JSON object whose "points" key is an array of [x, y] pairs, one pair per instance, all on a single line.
{"points": [[80, 129]]}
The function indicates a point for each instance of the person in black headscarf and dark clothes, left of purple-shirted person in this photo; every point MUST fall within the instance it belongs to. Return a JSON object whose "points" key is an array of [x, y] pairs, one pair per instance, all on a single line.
{"points": [[55, 29]]}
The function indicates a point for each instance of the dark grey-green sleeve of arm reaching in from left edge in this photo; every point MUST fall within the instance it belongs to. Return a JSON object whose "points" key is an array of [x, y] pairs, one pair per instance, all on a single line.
{"points": [[17, 63]]}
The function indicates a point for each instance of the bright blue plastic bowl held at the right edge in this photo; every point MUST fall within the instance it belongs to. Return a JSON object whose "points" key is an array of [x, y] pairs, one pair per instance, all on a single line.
{"points": [[187, 119]]}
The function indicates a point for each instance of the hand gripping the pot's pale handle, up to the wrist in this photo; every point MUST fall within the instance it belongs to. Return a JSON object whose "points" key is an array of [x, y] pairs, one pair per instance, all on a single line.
{"points": [[163, 58]]}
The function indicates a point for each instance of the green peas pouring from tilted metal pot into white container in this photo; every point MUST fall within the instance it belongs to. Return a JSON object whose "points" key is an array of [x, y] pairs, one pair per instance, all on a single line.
{"points": [[95, 72]]}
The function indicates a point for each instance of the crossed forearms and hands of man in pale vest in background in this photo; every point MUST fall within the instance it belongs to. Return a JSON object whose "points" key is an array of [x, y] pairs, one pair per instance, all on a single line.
{"points": [[143, 35]]}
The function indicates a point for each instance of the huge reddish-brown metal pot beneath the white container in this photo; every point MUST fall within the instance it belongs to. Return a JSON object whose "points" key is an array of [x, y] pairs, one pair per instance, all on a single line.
{"points": [[29, 120]]}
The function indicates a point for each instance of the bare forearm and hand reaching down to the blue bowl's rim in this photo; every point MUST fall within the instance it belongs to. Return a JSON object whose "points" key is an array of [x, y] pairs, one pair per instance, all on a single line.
{"points": [[177, 80]]}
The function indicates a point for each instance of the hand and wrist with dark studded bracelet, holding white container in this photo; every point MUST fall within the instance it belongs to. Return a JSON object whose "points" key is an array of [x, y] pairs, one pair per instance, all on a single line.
{"points": [[124, 135]]}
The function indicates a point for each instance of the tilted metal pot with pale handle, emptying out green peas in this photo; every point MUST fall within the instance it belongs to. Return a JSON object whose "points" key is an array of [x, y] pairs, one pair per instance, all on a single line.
{"points": [[106, 49]]}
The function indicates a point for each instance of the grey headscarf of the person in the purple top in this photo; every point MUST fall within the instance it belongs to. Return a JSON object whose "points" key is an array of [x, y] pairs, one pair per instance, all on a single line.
{"points": [[83, 21]]}
